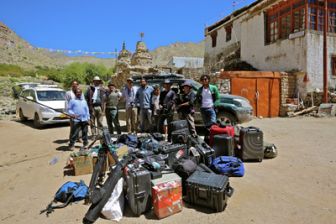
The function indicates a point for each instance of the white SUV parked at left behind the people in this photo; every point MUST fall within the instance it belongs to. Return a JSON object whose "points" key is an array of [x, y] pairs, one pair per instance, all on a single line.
{"points": [[27, 108]]}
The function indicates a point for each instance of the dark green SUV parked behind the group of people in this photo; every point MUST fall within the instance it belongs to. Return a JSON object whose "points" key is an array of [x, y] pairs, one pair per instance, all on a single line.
{"points": [[237, 109]]}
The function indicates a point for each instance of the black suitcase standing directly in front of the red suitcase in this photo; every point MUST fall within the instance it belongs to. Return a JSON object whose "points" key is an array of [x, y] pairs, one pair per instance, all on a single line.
{"points": [[223, 145]]}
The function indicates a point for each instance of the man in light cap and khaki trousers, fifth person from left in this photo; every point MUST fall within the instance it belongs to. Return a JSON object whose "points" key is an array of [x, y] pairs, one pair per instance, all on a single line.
{"points": [[128, 94]]}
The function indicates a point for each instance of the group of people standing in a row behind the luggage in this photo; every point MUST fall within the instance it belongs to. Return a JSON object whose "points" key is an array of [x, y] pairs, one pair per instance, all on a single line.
{"points": [[148, 109]]}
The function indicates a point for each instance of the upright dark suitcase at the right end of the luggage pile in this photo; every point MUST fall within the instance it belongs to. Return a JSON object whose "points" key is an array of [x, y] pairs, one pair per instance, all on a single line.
{"points": [[251, 144]]}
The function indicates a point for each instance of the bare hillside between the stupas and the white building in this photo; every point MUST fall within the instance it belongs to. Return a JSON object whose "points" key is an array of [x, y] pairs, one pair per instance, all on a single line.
{"points": [[162, 55]]}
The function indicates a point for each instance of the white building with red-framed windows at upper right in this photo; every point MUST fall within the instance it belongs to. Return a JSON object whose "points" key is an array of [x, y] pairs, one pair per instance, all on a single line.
{"points": [[275, 35]]}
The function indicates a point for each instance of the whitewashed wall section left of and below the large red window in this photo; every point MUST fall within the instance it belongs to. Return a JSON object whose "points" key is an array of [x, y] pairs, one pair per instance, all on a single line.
{"points": [[283, 55]]}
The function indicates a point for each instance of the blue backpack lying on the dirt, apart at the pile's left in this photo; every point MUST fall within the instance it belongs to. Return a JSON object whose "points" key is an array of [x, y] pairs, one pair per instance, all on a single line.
{"points": [[67, 193]]}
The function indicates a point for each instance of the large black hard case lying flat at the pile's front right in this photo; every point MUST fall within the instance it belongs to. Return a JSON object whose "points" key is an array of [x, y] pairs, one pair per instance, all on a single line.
{"points": [[209, 190]]}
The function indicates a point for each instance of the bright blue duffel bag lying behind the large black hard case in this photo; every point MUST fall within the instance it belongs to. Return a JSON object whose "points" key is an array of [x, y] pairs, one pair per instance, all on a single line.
{"points": [[228, 165]]}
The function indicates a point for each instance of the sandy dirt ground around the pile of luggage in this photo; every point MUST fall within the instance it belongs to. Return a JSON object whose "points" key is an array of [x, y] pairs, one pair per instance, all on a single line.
{"points": [[299, 186]]}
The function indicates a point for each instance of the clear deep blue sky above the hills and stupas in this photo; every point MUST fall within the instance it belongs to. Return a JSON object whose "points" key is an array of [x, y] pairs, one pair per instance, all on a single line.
{"points": [[102, 25]]}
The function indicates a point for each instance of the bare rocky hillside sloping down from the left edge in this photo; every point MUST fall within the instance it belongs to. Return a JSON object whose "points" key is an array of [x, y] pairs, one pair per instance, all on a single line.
{"points": [[17, 51]]}
